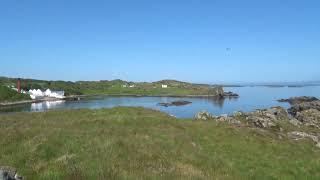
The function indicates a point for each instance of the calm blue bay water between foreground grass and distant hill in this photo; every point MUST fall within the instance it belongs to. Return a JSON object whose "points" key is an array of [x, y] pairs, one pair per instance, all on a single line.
{"points": [[251, 98]]}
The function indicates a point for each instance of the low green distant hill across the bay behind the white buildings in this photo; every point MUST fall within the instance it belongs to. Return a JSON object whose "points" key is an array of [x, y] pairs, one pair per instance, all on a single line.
{"points": [[119, 87]]}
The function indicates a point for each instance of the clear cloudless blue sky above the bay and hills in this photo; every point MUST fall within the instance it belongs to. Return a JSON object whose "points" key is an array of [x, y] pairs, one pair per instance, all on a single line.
{"points": [[147, 40]]}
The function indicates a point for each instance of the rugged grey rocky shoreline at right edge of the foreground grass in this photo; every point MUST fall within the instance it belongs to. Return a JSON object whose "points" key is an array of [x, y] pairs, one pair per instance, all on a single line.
{"points": [[300, 121]]}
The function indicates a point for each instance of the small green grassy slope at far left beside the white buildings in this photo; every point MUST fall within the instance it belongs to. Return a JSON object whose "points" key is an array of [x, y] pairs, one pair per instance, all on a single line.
{"points": [[9, 95]]}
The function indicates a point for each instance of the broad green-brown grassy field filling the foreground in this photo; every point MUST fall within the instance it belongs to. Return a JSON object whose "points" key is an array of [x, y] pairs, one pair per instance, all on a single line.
{"points": [[137, 143]]}
